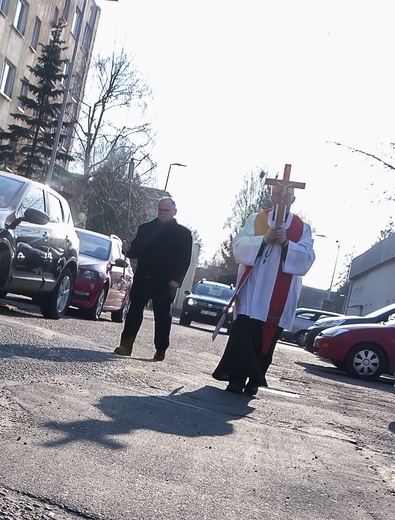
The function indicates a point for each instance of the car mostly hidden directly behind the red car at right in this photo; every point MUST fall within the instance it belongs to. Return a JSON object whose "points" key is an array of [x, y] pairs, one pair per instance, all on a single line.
{"points": [[384, 314]]}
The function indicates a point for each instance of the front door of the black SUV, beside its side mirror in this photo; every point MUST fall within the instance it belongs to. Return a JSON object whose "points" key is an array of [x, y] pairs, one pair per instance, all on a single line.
{"points": [[31, 246]]}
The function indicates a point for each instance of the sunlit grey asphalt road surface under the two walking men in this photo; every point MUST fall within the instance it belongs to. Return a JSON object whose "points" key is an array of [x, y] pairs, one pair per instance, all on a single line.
{"points": [[87, 434]]}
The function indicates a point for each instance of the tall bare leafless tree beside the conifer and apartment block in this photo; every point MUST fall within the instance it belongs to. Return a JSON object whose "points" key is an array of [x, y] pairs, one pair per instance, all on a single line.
{"points": [[114, 89]]}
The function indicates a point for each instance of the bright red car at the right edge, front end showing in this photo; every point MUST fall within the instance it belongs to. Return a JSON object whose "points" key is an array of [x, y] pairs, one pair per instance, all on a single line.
{"points": [[365, 351]]}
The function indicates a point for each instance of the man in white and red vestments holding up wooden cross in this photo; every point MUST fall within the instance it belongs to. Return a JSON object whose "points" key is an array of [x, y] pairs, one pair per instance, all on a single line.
{"points": [[274, 250]]}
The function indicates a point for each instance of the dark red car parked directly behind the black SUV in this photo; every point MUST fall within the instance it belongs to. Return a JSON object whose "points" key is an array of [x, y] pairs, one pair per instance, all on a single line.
{"points": [[104, 276]]}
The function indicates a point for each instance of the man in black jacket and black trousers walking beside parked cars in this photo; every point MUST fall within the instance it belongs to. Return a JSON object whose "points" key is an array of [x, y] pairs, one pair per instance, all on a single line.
{"points": [[163, 251]]}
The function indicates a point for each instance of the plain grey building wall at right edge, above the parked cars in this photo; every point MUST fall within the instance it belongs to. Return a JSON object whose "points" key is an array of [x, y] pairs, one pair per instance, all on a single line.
{"points": [[372, 278]]}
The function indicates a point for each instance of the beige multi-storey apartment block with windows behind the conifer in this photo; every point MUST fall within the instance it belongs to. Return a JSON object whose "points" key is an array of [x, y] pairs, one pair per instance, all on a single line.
{"points": [[24, 25]]}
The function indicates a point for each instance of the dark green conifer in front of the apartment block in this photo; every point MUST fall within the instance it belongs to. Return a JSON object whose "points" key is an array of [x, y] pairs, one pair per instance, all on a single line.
{"points": [[26, 148]]}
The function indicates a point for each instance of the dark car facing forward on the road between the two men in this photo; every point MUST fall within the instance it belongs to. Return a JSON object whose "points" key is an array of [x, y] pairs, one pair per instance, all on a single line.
{"points": [[206, 304]]}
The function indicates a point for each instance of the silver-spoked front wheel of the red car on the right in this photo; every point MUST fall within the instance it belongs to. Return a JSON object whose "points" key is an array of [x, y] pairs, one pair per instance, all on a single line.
{"points": [[366, 361]]}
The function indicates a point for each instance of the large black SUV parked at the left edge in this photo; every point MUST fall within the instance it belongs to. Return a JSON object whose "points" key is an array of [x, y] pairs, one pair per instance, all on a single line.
{"points": [[38, 244]]}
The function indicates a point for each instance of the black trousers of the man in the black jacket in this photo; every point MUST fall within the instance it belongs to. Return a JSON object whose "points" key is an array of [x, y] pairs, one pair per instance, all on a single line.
{"points": [[134, 318]]}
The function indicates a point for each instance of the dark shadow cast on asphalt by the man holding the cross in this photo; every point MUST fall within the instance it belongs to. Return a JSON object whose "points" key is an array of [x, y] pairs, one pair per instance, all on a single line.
{"points": [[191, 414]]}
